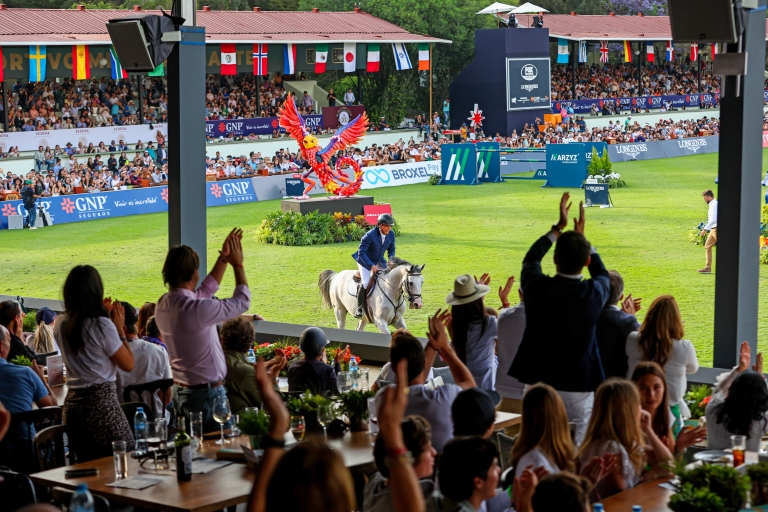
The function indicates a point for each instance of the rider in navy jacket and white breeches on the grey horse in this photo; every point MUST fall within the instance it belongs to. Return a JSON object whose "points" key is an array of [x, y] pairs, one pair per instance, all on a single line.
{"points": [[370, 255]]}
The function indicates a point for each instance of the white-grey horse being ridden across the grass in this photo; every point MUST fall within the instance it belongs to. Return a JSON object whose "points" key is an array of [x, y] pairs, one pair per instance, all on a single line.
{"points": [[387, 294]]}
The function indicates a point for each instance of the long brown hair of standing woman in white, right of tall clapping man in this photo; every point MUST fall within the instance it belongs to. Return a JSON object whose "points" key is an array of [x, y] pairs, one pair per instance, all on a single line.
{"points": [[661, 327]]}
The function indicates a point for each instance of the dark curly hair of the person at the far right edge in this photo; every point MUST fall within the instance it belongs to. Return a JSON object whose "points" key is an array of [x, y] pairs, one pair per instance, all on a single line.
{"points": [[747, 402]]}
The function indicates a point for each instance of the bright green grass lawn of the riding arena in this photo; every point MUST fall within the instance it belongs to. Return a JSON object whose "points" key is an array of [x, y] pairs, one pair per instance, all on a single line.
{"points": [[452, 229]]}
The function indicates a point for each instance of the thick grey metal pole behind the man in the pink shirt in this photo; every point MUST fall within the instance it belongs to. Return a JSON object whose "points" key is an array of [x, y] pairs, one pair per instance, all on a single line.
{"points": [[186, 132]]}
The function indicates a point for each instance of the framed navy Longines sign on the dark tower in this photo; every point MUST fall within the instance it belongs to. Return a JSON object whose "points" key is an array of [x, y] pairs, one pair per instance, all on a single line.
{"points": [[528, 83]]}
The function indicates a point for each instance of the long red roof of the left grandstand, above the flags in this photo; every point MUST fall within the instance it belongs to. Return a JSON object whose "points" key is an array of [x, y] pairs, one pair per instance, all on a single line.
{"points": [[68, 26]]}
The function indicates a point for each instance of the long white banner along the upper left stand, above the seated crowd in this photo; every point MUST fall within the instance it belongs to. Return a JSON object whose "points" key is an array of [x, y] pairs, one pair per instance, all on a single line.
{"points": [[29, 141]]}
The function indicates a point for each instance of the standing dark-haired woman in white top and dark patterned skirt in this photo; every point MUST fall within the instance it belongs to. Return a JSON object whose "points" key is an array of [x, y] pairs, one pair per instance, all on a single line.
{"points": [[93, 346]]}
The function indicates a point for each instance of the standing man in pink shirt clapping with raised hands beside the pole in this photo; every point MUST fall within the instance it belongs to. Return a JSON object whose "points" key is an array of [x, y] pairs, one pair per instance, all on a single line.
{"points": [[187, 316]]}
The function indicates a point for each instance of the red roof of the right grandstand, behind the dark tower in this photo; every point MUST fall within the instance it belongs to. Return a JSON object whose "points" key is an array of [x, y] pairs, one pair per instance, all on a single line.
{"points": [[611, 28]]}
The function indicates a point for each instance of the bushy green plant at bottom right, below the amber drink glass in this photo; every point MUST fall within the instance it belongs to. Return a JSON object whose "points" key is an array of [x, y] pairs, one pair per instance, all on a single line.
{"points": [[709, 487]]}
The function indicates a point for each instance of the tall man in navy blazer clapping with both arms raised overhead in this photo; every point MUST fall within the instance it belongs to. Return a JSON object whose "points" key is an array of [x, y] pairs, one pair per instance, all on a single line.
{"points": [[559, 345]]}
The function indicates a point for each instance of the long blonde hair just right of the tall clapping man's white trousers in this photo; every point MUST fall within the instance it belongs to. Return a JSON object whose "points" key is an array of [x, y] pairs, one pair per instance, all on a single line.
{"points": [[614, 418]]}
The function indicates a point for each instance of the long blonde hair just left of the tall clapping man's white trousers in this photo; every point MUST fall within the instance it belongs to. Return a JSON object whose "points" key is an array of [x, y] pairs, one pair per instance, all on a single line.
{"points": [[545, 424]]}
